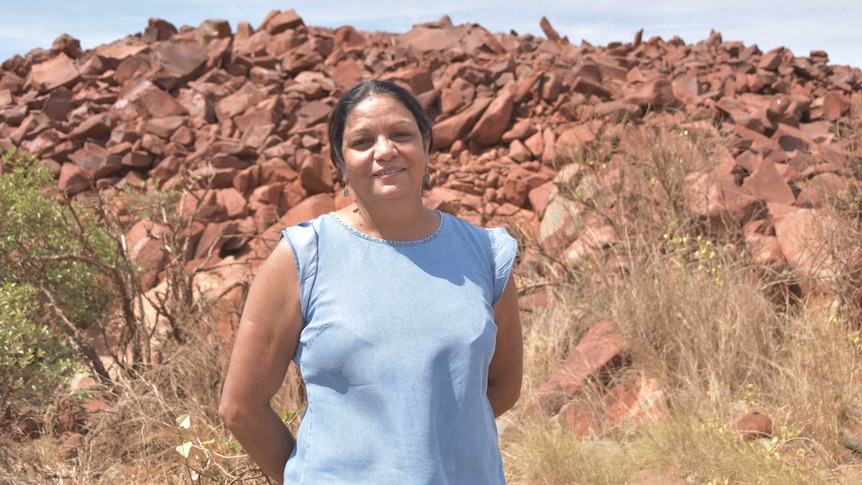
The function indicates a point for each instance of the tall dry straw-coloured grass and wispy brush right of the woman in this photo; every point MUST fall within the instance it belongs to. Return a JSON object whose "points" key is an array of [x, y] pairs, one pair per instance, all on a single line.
{"points": [[705, 323]]}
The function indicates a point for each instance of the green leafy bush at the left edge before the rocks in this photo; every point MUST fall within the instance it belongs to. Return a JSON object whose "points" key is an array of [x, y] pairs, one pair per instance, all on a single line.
{"points": [[50, 284]]}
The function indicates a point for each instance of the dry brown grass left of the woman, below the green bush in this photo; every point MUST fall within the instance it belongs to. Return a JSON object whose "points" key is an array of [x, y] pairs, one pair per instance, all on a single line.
{"points": [[135, 440]]}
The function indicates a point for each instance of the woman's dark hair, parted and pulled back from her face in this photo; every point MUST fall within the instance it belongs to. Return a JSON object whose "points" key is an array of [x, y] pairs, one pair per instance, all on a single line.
{"points": [[361, 92]]}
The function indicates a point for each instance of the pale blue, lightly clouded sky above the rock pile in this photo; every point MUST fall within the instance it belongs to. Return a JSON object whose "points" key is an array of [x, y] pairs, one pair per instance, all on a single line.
{"points": [[801, 26]]}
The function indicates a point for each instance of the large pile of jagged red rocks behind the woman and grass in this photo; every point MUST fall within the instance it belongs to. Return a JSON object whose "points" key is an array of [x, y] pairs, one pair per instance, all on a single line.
{"points": [[246, 110]]}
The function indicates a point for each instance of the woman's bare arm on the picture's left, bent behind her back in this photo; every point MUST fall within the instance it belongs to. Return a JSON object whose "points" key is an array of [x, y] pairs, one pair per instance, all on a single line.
{"points": [[265, 343]]}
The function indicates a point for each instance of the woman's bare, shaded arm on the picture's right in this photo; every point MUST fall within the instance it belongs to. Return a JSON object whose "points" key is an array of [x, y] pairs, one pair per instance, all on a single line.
{"points": [[507, 365]]}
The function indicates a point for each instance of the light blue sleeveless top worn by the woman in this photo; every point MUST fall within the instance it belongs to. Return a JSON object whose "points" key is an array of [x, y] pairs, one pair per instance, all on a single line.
{"points": [[394, 354]]}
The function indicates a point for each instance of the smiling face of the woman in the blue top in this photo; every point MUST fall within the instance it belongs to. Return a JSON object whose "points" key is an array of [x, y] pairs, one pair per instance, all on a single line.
{"points": [[384, 153]]}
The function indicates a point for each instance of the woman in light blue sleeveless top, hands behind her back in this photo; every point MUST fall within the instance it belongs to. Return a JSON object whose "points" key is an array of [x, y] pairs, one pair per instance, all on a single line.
{"points": [[403, 322]]}
